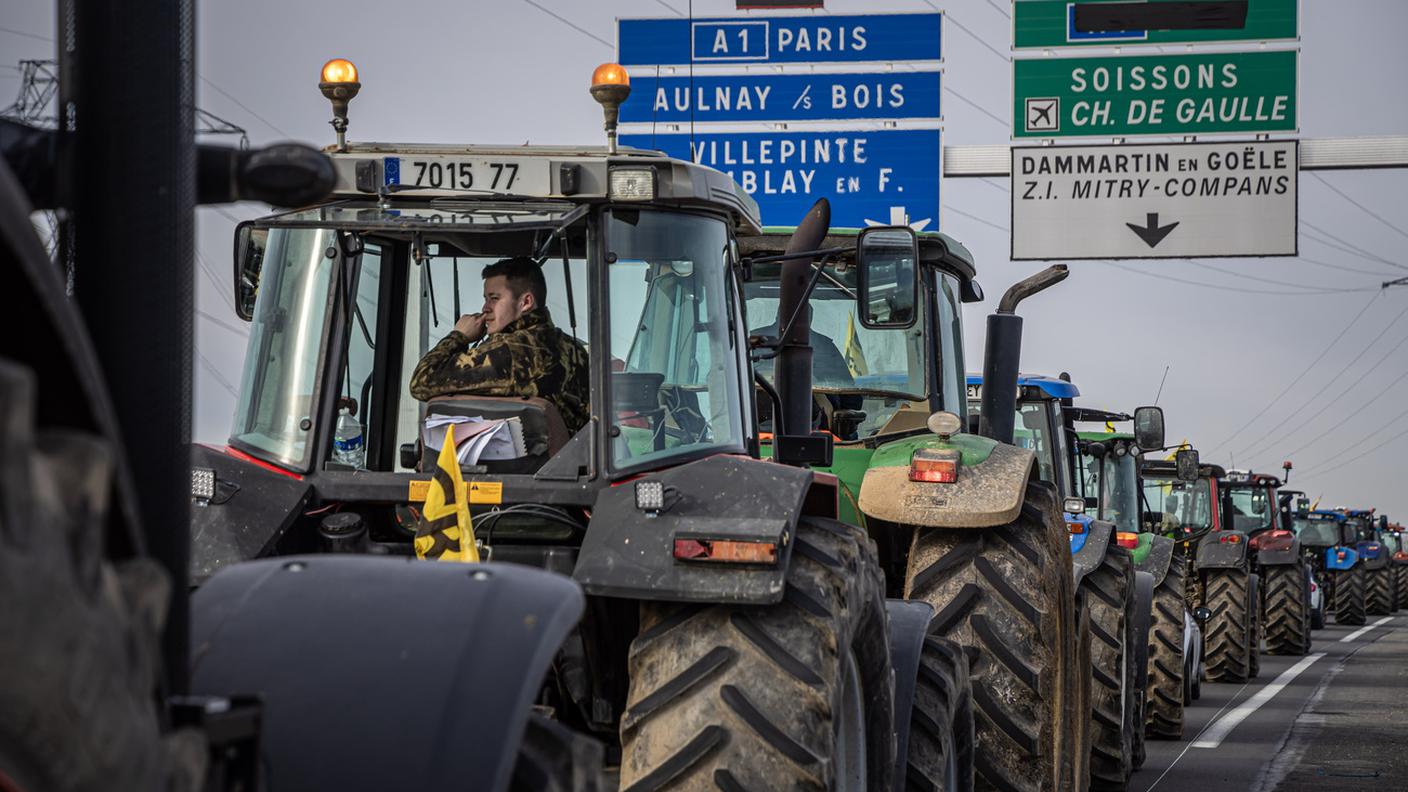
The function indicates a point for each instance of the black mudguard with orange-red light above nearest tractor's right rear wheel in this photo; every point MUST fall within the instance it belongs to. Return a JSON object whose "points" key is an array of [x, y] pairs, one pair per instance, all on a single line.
{"points": [[630, 555]]}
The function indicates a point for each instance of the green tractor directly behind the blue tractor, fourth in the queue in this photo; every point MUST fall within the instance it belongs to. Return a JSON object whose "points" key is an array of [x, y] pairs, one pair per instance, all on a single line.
{"points": [[1112, 485]]}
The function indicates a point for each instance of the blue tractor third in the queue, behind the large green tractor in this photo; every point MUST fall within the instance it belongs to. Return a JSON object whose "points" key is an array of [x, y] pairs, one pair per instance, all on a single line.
{"points": [[1120, 597]]}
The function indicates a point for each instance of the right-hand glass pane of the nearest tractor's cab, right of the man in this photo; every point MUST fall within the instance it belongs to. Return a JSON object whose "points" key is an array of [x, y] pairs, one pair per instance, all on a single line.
{"points": [[675, 360]]}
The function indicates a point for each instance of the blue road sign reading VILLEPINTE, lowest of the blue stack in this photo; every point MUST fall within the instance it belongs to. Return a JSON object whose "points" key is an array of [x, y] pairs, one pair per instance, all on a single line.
{"points": [[871, 177]]}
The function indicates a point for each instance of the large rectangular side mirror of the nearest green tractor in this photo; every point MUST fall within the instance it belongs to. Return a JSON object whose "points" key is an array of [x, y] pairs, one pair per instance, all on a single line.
{"points": [[888, 278]]}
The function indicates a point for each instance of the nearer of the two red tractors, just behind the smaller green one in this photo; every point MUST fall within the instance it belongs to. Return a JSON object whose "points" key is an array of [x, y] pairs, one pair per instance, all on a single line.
{"points": [[1221, 583]]}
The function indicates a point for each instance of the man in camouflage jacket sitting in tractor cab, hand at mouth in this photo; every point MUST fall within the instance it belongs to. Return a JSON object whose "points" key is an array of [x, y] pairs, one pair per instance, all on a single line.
{"points": [[526, 354]]}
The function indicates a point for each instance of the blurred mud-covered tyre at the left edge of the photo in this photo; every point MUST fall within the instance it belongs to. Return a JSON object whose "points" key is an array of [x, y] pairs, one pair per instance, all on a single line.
{"points": [[78, 633]]}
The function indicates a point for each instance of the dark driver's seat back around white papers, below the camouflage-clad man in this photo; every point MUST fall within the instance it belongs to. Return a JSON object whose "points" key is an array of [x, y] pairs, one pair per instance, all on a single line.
{"points": [[546, 433]]}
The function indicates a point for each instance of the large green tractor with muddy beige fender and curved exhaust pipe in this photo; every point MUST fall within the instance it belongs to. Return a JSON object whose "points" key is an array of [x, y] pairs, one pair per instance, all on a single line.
{"points": [[964, 522]]}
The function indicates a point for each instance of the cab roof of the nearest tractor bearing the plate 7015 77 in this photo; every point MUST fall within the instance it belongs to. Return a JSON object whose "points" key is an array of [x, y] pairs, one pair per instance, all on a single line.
{"points": [[463, 177]]}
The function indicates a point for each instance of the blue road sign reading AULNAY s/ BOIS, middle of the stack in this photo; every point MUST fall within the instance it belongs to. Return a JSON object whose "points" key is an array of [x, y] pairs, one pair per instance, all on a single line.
{"points": [[782, 98]]}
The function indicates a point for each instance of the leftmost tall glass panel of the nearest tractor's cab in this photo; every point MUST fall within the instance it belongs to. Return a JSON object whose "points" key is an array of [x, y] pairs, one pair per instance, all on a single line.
{"points": [[279, 385]]}
